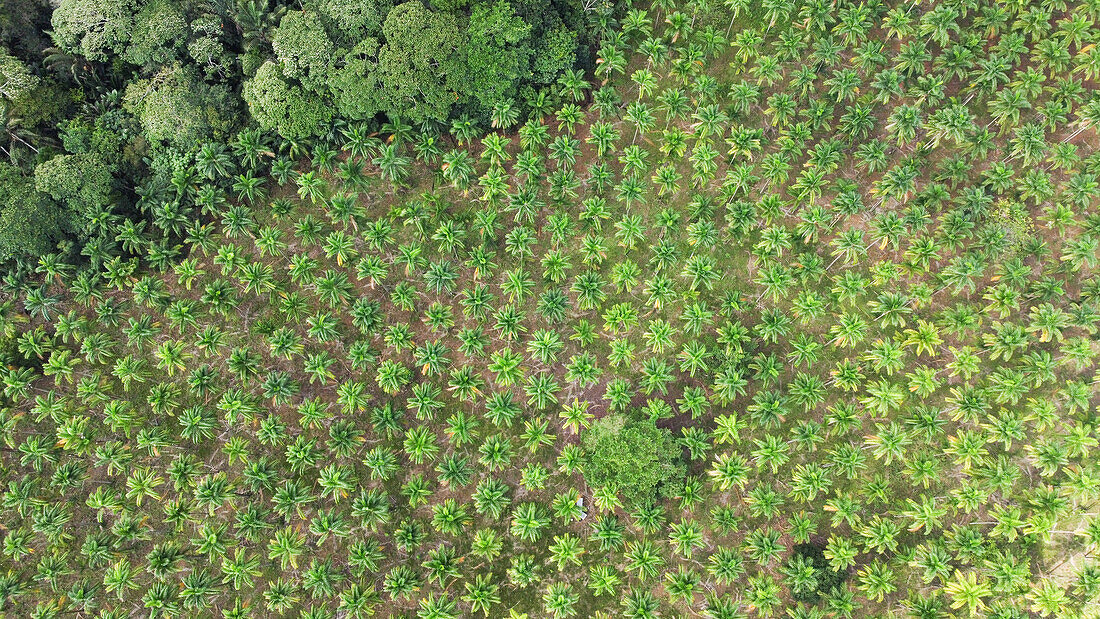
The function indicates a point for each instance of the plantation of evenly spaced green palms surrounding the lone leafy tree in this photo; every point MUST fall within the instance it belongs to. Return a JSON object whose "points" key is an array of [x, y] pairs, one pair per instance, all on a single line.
{"points": [[845, 255]]}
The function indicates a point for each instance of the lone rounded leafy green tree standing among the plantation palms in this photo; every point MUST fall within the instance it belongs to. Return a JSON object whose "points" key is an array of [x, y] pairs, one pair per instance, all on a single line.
{"points": [[641, 461]]}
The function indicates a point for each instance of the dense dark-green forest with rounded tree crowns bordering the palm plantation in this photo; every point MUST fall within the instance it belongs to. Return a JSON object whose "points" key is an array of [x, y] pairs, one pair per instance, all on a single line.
{"points": [[105, 103]]}
